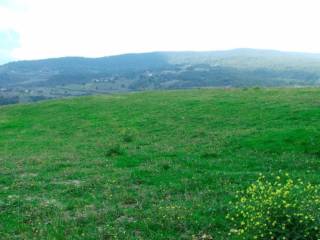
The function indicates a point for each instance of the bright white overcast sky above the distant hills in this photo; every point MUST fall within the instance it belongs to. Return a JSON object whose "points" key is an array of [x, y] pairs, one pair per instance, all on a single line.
{"points": [[36, 29]]}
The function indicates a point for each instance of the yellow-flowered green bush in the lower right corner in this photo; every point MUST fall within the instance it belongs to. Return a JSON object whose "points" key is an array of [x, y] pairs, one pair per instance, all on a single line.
{"points": [[281, 209]]}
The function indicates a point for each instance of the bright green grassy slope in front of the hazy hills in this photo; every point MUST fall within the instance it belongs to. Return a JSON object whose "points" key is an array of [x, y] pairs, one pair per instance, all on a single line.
{"points": [[160, 165]]}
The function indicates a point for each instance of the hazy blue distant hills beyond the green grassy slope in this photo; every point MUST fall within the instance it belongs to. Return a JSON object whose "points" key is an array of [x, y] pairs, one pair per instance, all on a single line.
{"points": [[69, 76]]}
